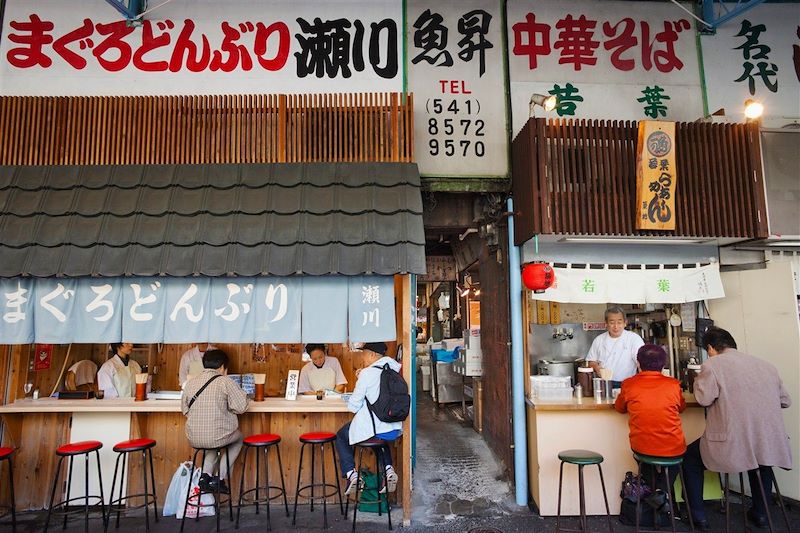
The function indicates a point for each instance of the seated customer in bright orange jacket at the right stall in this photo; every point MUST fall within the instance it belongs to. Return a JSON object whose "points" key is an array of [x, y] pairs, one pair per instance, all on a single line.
{"points": [[653, 403]]}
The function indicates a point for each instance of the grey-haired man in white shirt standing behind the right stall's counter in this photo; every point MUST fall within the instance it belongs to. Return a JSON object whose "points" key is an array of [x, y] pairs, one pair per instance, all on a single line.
{"points": [[615, 349]]}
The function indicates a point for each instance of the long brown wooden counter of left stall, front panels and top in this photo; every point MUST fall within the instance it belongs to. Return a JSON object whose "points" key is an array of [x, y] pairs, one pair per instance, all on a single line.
{"points": [[37, 427]]}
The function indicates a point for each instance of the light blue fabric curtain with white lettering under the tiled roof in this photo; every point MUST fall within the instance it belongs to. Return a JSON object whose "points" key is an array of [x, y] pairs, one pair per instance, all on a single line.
{"points": [[178, 310]]}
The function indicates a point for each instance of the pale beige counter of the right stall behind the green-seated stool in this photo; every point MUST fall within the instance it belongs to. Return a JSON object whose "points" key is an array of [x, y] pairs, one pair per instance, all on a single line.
{"points": [[556, 425]]}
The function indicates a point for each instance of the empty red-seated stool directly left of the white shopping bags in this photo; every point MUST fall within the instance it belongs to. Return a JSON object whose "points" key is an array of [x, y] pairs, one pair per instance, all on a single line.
{"points": [[145, 447]]}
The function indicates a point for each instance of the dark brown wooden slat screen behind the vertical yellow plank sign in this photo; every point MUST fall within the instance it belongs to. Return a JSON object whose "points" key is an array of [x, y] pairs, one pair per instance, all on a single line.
{"points": [[578, 177]]}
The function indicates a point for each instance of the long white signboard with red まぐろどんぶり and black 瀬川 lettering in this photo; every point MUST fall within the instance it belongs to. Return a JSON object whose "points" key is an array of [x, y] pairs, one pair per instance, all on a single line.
{"points": [[53, 47]]}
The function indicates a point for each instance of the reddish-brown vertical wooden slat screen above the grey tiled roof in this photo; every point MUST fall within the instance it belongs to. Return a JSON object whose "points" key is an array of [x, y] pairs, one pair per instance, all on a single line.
{"points": [[252, 128]]}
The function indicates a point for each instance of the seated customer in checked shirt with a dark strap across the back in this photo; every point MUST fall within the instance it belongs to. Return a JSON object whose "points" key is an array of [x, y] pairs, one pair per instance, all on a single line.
{"points": [[211, 420]]}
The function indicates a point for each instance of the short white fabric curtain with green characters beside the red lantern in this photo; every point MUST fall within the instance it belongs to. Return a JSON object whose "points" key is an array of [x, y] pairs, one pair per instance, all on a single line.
{"points": [[634, 285]]}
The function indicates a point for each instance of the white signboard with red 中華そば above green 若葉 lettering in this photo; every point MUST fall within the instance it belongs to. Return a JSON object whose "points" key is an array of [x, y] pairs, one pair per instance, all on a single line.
{"points": [[603, 60]]}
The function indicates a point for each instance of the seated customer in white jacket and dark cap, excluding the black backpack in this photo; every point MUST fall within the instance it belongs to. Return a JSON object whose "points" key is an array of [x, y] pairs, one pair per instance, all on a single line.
{"points": [[368, 388]]}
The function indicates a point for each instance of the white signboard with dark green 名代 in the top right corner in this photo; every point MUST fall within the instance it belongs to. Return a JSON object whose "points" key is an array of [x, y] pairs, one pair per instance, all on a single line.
{"points": [[756, 56]]}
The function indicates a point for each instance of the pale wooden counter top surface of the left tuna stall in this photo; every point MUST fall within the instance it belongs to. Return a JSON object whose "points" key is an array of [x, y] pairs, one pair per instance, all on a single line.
{"points": [[270, 405]]}
